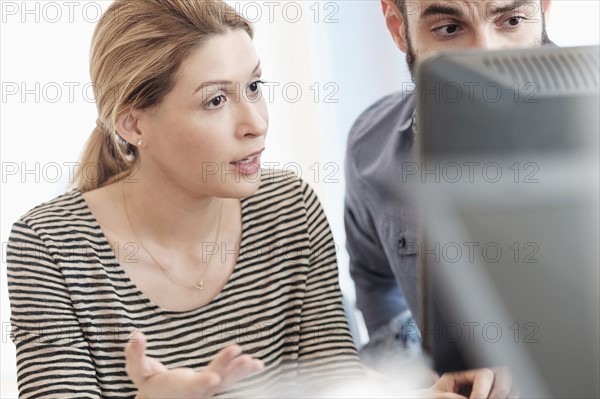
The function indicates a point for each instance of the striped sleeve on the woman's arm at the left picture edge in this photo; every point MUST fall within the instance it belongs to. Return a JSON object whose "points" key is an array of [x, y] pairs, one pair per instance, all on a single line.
{"points": [[53, 358]]}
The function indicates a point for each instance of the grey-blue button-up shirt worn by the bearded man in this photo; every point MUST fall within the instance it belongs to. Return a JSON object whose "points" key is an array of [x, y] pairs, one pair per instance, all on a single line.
{"points": [[381, 227]]}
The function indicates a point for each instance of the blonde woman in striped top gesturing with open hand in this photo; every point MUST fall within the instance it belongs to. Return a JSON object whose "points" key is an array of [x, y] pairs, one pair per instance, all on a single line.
{"points": [[175, 253]]}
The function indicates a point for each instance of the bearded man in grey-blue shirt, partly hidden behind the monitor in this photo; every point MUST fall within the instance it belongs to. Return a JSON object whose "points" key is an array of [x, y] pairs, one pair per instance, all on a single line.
{"points": [[380, 222]]}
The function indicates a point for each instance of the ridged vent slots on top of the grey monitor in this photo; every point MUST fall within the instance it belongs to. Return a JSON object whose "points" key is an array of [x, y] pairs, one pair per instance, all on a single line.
{"points": [[575, 70]]}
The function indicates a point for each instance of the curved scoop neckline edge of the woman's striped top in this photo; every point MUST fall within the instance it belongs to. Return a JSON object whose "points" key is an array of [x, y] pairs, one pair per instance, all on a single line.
{"points": [[114, 260]]}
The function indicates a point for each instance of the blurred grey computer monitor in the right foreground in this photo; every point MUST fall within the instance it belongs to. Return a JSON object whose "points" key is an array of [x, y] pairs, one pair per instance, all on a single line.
{"points": [[509, 205]]}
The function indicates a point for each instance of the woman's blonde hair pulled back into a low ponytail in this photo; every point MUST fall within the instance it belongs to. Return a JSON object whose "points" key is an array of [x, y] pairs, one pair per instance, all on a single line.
{"points": [[137, 48]]}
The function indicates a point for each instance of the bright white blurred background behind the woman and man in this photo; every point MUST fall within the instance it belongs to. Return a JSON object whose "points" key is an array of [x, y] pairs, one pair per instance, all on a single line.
{"points": [[325, 61]]}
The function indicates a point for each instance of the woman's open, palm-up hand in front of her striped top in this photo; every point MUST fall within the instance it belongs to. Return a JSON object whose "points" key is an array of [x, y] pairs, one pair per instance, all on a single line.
{"points": [[154, 380]]}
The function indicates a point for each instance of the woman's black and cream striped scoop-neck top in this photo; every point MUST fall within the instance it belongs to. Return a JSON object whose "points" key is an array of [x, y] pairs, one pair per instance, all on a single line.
{"points": [[73, 308]]}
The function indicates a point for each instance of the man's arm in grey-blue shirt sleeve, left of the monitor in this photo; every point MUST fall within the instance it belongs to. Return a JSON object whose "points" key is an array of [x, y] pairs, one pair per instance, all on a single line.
{"points": [[375, 135]]}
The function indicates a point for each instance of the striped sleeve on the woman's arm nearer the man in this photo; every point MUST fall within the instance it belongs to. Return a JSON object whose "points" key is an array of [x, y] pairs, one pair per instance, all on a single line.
{"points": [[326, 346]]}
